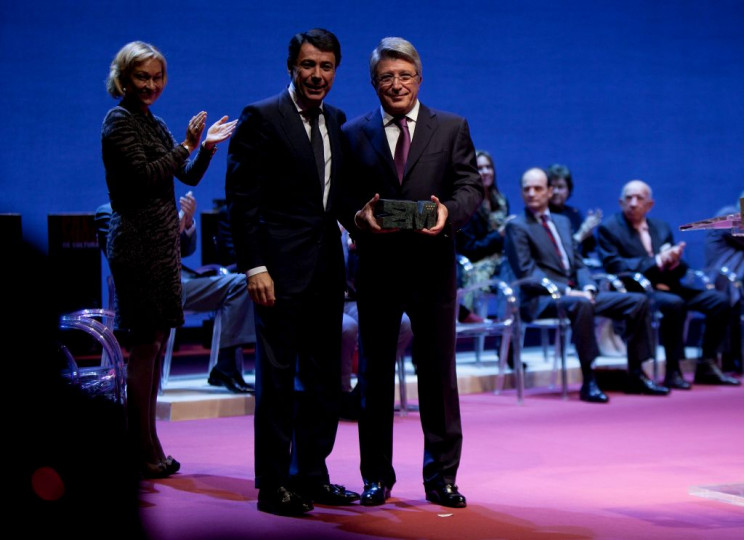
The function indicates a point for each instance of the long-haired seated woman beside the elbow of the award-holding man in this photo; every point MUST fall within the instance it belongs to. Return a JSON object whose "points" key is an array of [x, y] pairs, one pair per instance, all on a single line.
{"points": [[481, 240]]}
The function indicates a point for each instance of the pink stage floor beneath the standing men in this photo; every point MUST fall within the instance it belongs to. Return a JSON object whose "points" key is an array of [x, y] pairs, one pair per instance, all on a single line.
{"points": [[549, 469]]}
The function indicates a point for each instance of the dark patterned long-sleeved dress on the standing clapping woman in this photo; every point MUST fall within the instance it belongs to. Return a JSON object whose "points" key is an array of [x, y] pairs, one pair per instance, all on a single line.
{"points": [[141, 158]]}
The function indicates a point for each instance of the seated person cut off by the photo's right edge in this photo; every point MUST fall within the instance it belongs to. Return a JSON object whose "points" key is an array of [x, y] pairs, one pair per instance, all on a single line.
{"points": [[722, 248]]}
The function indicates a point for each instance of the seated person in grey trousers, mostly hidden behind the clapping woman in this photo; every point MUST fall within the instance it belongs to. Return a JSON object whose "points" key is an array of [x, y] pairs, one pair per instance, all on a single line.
{"points": [[227, 292]]}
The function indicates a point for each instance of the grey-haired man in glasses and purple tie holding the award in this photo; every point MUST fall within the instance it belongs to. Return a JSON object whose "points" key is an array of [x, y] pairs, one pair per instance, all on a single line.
{"points": [[403, 270]]}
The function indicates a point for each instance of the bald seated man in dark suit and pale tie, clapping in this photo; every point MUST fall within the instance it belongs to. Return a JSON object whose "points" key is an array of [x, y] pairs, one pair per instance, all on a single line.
{"points": [[631, 242]]}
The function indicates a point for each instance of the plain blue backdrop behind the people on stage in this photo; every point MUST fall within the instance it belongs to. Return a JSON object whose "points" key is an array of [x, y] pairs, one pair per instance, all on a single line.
{"points": [[616, 90]]}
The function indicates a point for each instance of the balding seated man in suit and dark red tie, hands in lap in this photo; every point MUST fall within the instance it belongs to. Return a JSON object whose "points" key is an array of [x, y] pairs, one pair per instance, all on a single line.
{"points": [[539, 244]]}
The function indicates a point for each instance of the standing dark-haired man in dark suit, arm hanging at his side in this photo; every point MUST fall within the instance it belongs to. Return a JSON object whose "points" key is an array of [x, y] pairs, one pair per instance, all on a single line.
{"points": [[283, 175]]}
